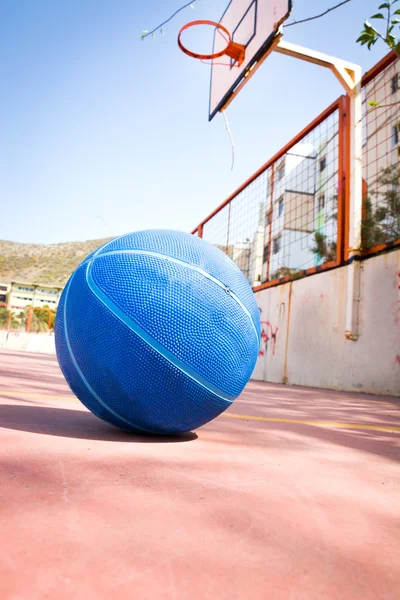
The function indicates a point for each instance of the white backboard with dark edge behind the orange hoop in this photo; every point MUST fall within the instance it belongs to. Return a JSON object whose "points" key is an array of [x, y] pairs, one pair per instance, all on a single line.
{"points": [[255, 24]]}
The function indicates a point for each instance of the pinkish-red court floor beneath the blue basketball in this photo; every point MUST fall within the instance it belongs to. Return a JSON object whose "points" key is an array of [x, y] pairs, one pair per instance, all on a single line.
{"points": [[293, 495]]}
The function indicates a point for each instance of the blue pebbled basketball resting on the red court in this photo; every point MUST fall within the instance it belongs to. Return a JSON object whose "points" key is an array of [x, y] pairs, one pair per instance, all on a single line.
{"points": [[157, 331]]}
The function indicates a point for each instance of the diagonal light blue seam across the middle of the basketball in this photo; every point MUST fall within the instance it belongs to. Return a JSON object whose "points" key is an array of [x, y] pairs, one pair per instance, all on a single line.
{"points": [[150, 341]]}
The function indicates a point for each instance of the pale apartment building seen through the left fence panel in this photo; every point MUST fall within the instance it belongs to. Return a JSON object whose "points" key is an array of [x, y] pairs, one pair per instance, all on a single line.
{"points": [[303, 201]]}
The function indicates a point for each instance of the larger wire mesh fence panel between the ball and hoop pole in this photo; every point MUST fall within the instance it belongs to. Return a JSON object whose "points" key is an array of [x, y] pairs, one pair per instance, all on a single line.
{"points": [[284, 220]]}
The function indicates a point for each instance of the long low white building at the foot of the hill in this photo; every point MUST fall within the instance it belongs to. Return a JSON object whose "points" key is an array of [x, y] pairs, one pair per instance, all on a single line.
{"points": [[37, 295]]}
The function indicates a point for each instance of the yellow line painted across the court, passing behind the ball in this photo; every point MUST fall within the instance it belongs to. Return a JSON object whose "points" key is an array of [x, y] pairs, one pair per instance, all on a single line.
{"points": [[331, 424]]}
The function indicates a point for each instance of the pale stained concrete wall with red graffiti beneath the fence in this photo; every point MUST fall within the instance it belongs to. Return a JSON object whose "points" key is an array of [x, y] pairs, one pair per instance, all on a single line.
{"points": [[304, 331]]}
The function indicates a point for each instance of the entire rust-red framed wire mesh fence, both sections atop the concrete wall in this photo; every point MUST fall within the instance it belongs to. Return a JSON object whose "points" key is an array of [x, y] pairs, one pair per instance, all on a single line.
{"points": [[289, 218]]}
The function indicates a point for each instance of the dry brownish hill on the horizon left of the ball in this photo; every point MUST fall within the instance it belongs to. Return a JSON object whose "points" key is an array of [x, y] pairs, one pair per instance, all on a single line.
{"points": [[43, 263]]}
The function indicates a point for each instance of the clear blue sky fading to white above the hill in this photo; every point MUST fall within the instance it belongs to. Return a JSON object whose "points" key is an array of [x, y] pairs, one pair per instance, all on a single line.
{"points": [[97, 123]]}
